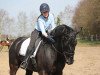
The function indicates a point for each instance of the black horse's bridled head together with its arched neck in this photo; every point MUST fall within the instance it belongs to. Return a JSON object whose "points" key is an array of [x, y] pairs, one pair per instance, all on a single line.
{"points": [[66, 38]]}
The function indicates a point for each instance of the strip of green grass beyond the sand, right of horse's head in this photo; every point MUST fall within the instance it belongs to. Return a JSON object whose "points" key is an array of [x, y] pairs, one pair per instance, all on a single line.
{"points": [[88, 43]]}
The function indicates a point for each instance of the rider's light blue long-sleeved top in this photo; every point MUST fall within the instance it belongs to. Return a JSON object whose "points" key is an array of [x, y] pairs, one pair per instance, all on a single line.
{"points": [[44, 25]]}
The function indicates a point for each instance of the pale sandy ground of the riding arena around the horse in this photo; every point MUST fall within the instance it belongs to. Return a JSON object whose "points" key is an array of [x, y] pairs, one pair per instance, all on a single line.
{"points": [[87, 62]]}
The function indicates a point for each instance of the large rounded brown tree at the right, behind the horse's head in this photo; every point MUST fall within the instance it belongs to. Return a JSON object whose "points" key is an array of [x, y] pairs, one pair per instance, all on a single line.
{"points": [[87, 15]]}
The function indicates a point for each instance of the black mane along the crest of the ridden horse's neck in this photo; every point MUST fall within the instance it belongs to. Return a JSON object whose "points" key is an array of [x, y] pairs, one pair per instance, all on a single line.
{"points": [[61, 30]]}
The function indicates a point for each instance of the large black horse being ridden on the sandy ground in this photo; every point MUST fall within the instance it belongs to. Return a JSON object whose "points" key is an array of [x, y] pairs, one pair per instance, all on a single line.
{"points": [[50, 58]]}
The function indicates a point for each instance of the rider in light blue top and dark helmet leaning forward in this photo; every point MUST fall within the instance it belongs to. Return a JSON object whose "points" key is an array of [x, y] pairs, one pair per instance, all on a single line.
{"points": [[45, 23]]}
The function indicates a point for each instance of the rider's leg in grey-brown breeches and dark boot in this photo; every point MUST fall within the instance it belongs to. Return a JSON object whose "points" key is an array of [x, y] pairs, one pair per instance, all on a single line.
{"points": [[31, 49]]}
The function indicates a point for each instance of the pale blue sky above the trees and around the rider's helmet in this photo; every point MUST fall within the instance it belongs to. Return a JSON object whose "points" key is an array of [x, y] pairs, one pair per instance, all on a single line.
{"points": [[13, 7]]}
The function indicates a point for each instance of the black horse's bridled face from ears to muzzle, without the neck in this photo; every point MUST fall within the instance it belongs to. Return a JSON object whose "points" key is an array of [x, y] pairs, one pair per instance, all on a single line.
{"points": [[69, 43]]}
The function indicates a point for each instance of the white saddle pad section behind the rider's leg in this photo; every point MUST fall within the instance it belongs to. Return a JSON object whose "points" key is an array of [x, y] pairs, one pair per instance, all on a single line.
{"points": [[24, 47]]}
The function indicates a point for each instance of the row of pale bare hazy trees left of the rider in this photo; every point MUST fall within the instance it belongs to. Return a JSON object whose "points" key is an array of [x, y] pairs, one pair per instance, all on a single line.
{"points": [[22, 26]]}
